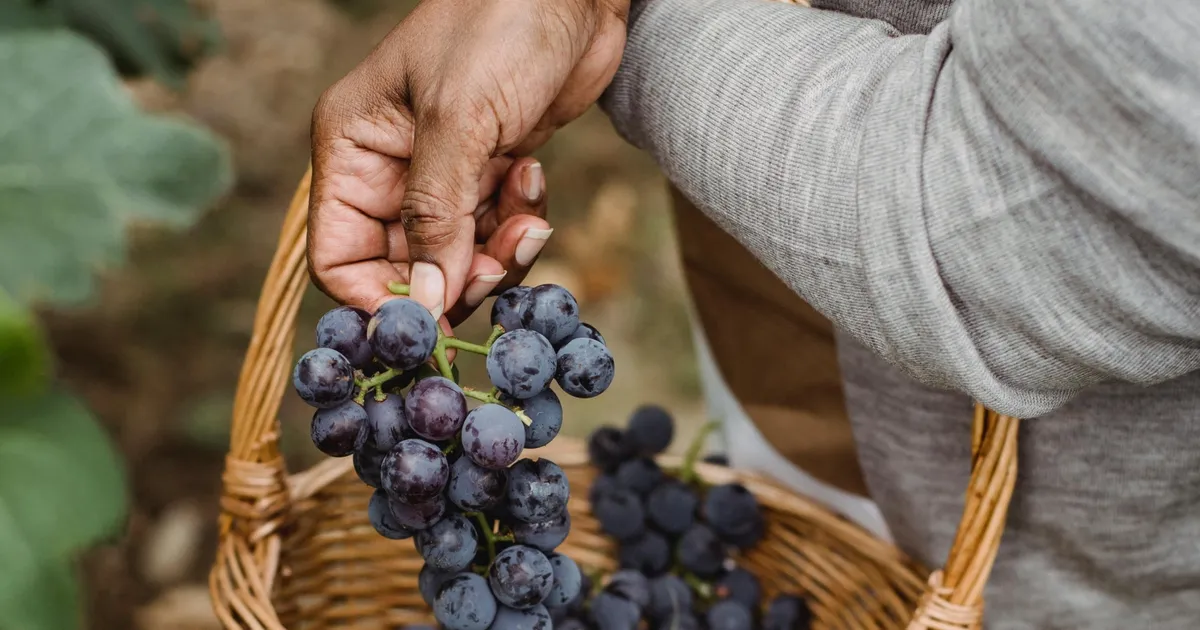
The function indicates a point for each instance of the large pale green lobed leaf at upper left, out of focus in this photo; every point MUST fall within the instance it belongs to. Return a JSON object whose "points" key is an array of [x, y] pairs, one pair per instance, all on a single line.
{"points": [[81, 161]]}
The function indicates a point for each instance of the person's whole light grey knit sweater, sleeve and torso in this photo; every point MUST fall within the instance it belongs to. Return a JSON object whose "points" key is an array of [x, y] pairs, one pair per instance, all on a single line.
{"points": [[998, 200]]}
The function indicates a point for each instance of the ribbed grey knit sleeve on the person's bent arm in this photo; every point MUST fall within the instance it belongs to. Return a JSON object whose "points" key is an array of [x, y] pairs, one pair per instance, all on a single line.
{"points": [[1009, 207]]}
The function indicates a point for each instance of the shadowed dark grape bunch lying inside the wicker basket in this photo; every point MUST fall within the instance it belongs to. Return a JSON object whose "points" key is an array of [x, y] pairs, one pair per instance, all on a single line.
{"points": [[677, 539]]}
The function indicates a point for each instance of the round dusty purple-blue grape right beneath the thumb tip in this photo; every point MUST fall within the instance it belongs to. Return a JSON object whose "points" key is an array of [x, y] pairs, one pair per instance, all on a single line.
{"points": [[403, 334]]}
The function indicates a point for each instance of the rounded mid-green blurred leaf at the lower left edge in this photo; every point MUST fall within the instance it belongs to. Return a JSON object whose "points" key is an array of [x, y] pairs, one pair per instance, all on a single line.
{"points": [[62, 483]]}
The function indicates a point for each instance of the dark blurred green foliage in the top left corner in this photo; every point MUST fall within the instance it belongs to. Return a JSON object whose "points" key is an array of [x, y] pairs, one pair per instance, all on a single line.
{"points": [[160, 39]]}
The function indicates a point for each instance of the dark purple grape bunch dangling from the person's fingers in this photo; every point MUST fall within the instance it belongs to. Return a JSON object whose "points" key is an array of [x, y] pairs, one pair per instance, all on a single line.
{"points": [[446, 459]]}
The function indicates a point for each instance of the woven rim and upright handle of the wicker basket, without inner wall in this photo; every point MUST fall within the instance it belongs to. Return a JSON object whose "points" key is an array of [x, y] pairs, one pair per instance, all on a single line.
{"points": [[259, 496]]}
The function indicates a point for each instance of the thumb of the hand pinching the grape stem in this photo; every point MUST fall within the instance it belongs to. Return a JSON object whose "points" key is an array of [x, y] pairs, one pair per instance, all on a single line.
{"points": [[439, 208]]}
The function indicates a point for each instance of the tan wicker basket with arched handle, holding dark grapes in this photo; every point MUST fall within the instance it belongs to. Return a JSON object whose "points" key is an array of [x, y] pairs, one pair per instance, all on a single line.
{"points": [[298, 553]]}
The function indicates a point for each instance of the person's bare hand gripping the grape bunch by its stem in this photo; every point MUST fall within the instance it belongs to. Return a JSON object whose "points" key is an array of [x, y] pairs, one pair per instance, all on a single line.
{"points": [[409, 145]]}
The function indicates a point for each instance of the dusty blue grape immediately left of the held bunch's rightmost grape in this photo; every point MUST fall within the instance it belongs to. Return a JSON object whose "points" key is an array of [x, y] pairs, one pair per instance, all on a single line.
{"points": [[521, 364]]}
